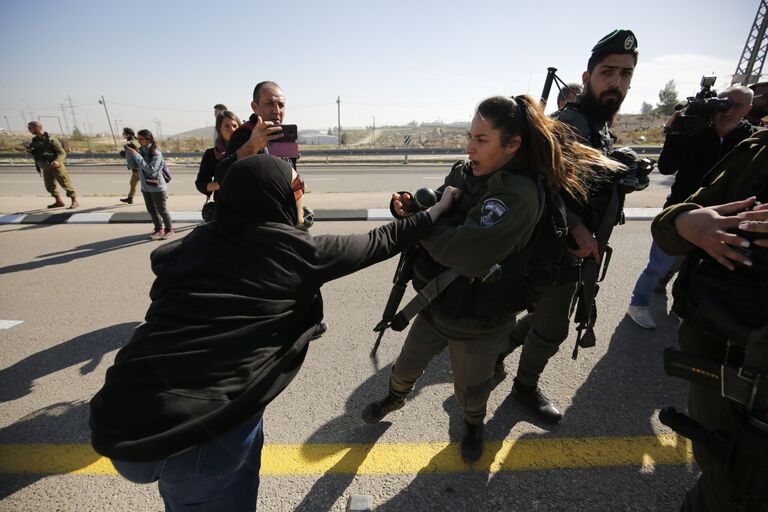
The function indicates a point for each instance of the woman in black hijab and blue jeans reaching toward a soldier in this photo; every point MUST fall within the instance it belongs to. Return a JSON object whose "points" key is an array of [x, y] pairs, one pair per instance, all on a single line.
{"points": [[233, 308]]}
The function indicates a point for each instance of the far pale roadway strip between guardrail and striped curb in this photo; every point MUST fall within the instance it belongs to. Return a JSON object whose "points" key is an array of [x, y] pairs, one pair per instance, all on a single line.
{"points": [[113, 180]]}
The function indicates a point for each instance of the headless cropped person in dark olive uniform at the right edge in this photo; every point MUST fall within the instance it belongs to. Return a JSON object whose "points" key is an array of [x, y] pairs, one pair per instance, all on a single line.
{"points": [[722, 297]]}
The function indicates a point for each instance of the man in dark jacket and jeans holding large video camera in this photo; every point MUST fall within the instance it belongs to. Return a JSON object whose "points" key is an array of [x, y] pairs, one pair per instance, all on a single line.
{"points": [[689, 156]]}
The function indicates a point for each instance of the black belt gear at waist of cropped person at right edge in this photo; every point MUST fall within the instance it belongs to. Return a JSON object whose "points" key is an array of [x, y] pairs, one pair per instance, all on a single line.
{"points": [[738, 384]]}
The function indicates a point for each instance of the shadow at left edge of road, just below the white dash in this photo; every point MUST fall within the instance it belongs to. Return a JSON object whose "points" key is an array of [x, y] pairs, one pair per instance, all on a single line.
{"points": [[87, 349]]}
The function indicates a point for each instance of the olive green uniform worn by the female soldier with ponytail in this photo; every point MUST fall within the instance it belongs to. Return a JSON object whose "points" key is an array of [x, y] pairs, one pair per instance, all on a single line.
{"points": [[494, 218]]}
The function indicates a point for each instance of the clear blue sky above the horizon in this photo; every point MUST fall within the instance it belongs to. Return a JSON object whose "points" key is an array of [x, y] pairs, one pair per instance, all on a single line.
{"points": [[397, 61]]}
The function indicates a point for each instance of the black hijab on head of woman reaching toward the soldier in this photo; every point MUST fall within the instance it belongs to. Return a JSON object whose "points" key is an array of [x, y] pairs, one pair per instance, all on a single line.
{"points": [[257, 189]]}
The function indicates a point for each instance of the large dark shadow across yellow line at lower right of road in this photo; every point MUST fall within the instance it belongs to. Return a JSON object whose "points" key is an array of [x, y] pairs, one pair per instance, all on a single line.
{"points": [[620, 397]]}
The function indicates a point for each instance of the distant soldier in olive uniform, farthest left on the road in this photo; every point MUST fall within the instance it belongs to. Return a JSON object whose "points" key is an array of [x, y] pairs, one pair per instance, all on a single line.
{"points": [[49, 158]]}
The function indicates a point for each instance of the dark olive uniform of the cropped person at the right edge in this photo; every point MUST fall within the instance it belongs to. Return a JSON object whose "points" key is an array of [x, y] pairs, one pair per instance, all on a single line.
{"points": [[743, 174]]}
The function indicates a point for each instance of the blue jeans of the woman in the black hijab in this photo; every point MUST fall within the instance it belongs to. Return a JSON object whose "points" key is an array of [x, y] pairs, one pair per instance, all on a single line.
{"points": [[220, 475]]}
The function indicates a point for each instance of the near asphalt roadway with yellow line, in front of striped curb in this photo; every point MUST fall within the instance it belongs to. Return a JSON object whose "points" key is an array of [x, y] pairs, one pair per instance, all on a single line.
{"points": [[81, 289]]}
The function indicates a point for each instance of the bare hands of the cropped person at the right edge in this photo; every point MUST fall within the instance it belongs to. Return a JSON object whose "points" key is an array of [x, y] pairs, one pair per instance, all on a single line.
{"points": [[707, 228]]}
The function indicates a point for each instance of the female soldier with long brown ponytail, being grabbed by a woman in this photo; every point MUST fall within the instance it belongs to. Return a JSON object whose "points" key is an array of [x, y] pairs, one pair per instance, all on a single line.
{"points": [[511, 146]]}
